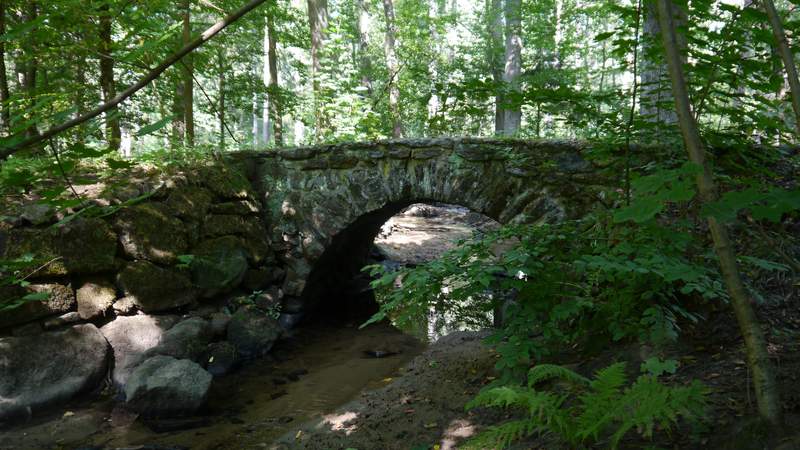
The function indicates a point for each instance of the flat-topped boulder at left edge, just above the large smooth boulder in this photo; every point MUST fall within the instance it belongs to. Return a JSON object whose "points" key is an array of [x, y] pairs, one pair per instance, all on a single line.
{"points": [[60, 299]]}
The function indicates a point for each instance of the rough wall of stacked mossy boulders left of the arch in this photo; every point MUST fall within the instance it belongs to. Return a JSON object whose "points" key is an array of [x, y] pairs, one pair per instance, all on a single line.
{"points": [[122, 294]]}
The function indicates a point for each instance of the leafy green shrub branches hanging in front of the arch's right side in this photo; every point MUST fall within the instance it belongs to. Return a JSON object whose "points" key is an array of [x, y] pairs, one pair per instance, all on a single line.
{"points": [[560, 283]]}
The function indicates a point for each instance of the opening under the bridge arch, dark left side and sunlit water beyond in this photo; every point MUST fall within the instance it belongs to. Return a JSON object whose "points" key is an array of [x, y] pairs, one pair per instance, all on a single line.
{"points": [[399, 234]]}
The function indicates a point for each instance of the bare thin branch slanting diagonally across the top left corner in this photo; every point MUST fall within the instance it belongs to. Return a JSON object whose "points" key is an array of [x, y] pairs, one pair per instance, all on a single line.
{"points": [[207, 35]]}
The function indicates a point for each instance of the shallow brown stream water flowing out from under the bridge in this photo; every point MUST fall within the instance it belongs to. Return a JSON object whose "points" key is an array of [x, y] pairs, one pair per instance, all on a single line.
{"points": [[247, 409]]}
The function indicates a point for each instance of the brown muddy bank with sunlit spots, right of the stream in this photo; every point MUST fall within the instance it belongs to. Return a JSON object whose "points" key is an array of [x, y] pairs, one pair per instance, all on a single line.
{"points": [[422, 408]]}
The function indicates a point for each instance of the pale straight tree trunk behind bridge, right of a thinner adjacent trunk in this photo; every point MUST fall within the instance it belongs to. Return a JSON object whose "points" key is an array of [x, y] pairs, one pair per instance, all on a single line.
{"points": [[513, 66]]}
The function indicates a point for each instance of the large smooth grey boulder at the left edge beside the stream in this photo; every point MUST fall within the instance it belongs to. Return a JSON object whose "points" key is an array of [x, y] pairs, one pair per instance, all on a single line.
{"points": [[43, 370]]}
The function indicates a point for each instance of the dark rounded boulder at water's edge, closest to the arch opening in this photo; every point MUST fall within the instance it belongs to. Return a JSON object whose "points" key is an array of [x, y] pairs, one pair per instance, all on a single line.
{"points": [[252, 332]]}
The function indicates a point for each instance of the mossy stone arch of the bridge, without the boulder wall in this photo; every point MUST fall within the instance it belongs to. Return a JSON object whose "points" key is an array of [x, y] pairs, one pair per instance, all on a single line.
{"points": [[332, 200]]}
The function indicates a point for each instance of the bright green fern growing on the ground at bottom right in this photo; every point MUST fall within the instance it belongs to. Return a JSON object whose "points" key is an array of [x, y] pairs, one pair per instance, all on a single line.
{"points": [[581, 411]]}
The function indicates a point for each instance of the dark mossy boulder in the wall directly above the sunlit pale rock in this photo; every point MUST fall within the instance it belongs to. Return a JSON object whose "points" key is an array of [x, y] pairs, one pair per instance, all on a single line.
{"points": [[153, 288]]}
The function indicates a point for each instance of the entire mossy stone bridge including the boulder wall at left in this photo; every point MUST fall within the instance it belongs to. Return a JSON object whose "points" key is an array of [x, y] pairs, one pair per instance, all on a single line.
{"points": [[178, 280]]}
